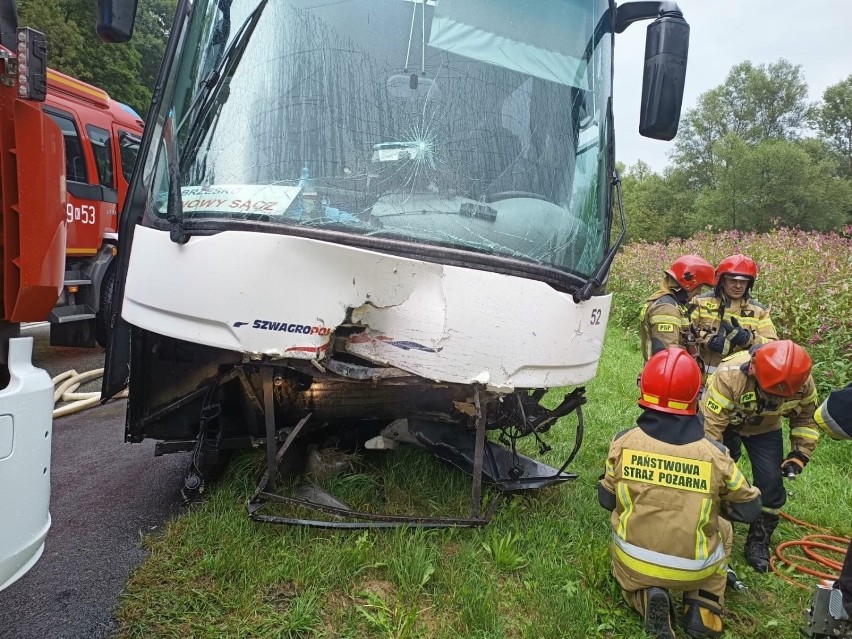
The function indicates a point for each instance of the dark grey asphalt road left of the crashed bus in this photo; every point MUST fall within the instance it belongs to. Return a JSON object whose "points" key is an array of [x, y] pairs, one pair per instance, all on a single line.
{"points": [[104, 495]]}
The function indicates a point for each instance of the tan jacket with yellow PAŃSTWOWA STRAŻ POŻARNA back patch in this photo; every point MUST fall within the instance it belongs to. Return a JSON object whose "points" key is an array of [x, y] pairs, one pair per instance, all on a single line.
{"points": [[665, 521]]}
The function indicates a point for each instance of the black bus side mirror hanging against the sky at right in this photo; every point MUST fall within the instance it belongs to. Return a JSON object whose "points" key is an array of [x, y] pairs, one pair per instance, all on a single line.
{"points": [[666, 51]]}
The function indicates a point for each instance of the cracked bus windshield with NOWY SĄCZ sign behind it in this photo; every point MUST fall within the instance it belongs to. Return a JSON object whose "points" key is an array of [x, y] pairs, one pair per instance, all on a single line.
{"points": [[479, 125]]}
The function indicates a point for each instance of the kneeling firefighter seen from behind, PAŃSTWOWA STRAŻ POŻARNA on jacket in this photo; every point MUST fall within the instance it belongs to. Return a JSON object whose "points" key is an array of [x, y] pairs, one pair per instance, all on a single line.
{"points": [[668, 487]]}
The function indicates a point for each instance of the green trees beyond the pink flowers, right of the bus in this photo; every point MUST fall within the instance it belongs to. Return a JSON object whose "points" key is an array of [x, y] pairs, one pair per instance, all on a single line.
{"points": [[752, 155]]}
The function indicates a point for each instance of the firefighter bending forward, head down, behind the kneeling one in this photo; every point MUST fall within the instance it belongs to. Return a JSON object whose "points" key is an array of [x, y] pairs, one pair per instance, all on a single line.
{"points": [[743, 405]]}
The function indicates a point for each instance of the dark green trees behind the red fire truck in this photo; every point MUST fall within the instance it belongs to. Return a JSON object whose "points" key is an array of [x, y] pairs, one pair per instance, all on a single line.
{"points": [[127, 72]]}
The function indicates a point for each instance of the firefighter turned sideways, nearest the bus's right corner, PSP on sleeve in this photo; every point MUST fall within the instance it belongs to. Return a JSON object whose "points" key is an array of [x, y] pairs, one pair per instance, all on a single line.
{"points": [[665, 318]]}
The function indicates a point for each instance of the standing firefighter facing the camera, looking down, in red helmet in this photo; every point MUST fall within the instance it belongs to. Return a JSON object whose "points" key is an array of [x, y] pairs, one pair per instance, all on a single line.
{"points": [[729, 319]]}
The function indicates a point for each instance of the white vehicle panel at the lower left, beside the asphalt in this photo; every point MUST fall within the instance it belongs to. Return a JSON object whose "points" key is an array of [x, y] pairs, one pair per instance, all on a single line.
{"points": [[26, 419]]}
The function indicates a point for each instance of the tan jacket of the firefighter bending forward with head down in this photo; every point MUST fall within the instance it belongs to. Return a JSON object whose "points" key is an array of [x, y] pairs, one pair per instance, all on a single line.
{"points": [[732, 400]]}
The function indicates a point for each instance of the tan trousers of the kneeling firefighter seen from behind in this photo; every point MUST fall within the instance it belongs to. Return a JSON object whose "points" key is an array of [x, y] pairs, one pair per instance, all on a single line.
{"points": [[708, 592]]}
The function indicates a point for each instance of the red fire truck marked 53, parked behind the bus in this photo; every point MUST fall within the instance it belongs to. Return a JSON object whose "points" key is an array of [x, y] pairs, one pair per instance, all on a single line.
{"points": [[101, 142]]}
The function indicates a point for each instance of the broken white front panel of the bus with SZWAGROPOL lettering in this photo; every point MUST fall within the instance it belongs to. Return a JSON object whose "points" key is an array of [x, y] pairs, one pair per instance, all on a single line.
{"points": [[282, 296]]}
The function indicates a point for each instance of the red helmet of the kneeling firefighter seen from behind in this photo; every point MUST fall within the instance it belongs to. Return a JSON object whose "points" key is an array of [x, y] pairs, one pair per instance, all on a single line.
{"points": [[670, 382]]}
